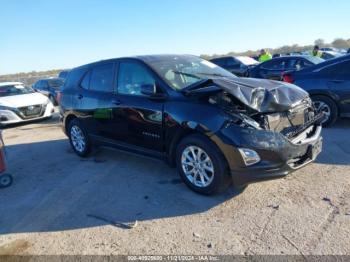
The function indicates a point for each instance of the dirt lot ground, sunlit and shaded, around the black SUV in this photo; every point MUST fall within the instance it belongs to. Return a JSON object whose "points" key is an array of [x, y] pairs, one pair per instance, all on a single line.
{"points": [[61, 204]]}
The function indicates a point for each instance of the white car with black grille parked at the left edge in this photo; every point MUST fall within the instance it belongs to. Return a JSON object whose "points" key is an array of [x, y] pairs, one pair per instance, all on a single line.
{"points": [[19, 103]]}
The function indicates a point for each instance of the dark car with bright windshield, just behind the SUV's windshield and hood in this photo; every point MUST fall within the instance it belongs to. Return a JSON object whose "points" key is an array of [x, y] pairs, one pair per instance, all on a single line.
{"points": [[239, 65]]}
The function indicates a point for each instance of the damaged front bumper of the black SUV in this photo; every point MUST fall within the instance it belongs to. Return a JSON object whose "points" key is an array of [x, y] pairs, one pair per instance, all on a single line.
{"points": [[279, 156]]}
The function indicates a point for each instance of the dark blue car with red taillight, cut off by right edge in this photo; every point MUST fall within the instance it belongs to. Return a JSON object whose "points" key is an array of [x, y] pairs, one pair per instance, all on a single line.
{"points": [[328, 84]]}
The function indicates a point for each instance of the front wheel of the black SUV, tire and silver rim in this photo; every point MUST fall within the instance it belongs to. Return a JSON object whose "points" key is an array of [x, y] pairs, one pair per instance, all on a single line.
{"points": [[202, 166]]}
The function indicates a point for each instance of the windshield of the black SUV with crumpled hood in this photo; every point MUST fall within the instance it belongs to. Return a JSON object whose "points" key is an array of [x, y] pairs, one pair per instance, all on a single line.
{"points": [[182, 71]]}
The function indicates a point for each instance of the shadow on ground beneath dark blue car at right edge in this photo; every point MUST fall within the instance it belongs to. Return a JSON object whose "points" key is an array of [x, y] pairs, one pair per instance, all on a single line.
{"points": [[336, 144]]}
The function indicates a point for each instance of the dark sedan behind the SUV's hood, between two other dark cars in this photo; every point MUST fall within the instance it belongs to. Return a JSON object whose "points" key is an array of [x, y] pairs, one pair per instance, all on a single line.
{"points": [[274, 69]]}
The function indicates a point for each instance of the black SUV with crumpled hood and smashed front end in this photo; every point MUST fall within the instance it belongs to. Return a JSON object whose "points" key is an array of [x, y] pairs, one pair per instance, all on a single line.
{"points": [[215, 127]]}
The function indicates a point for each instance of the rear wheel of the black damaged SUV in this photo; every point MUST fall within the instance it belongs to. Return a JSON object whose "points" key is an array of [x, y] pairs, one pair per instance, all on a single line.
{"points": [[78, 138]]}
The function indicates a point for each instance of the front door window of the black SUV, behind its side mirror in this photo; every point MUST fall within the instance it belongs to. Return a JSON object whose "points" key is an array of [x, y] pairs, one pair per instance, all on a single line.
{"points": [[131, 76]]}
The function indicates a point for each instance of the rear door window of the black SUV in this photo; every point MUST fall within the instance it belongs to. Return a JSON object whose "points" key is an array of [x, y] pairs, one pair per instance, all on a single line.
{"points": [[101, 78]]}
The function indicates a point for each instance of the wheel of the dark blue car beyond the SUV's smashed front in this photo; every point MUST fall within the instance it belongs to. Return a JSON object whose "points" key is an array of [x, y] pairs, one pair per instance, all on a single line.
{"points": [[328, 107]]}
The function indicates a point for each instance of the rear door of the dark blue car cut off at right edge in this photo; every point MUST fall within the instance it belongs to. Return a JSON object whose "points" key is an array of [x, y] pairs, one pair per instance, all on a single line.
{"points": [[338, 80]]}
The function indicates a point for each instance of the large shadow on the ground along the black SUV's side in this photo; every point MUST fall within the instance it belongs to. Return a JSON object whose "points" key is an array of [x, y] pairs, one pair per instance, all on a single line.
{"points": [[55, 190]]}
